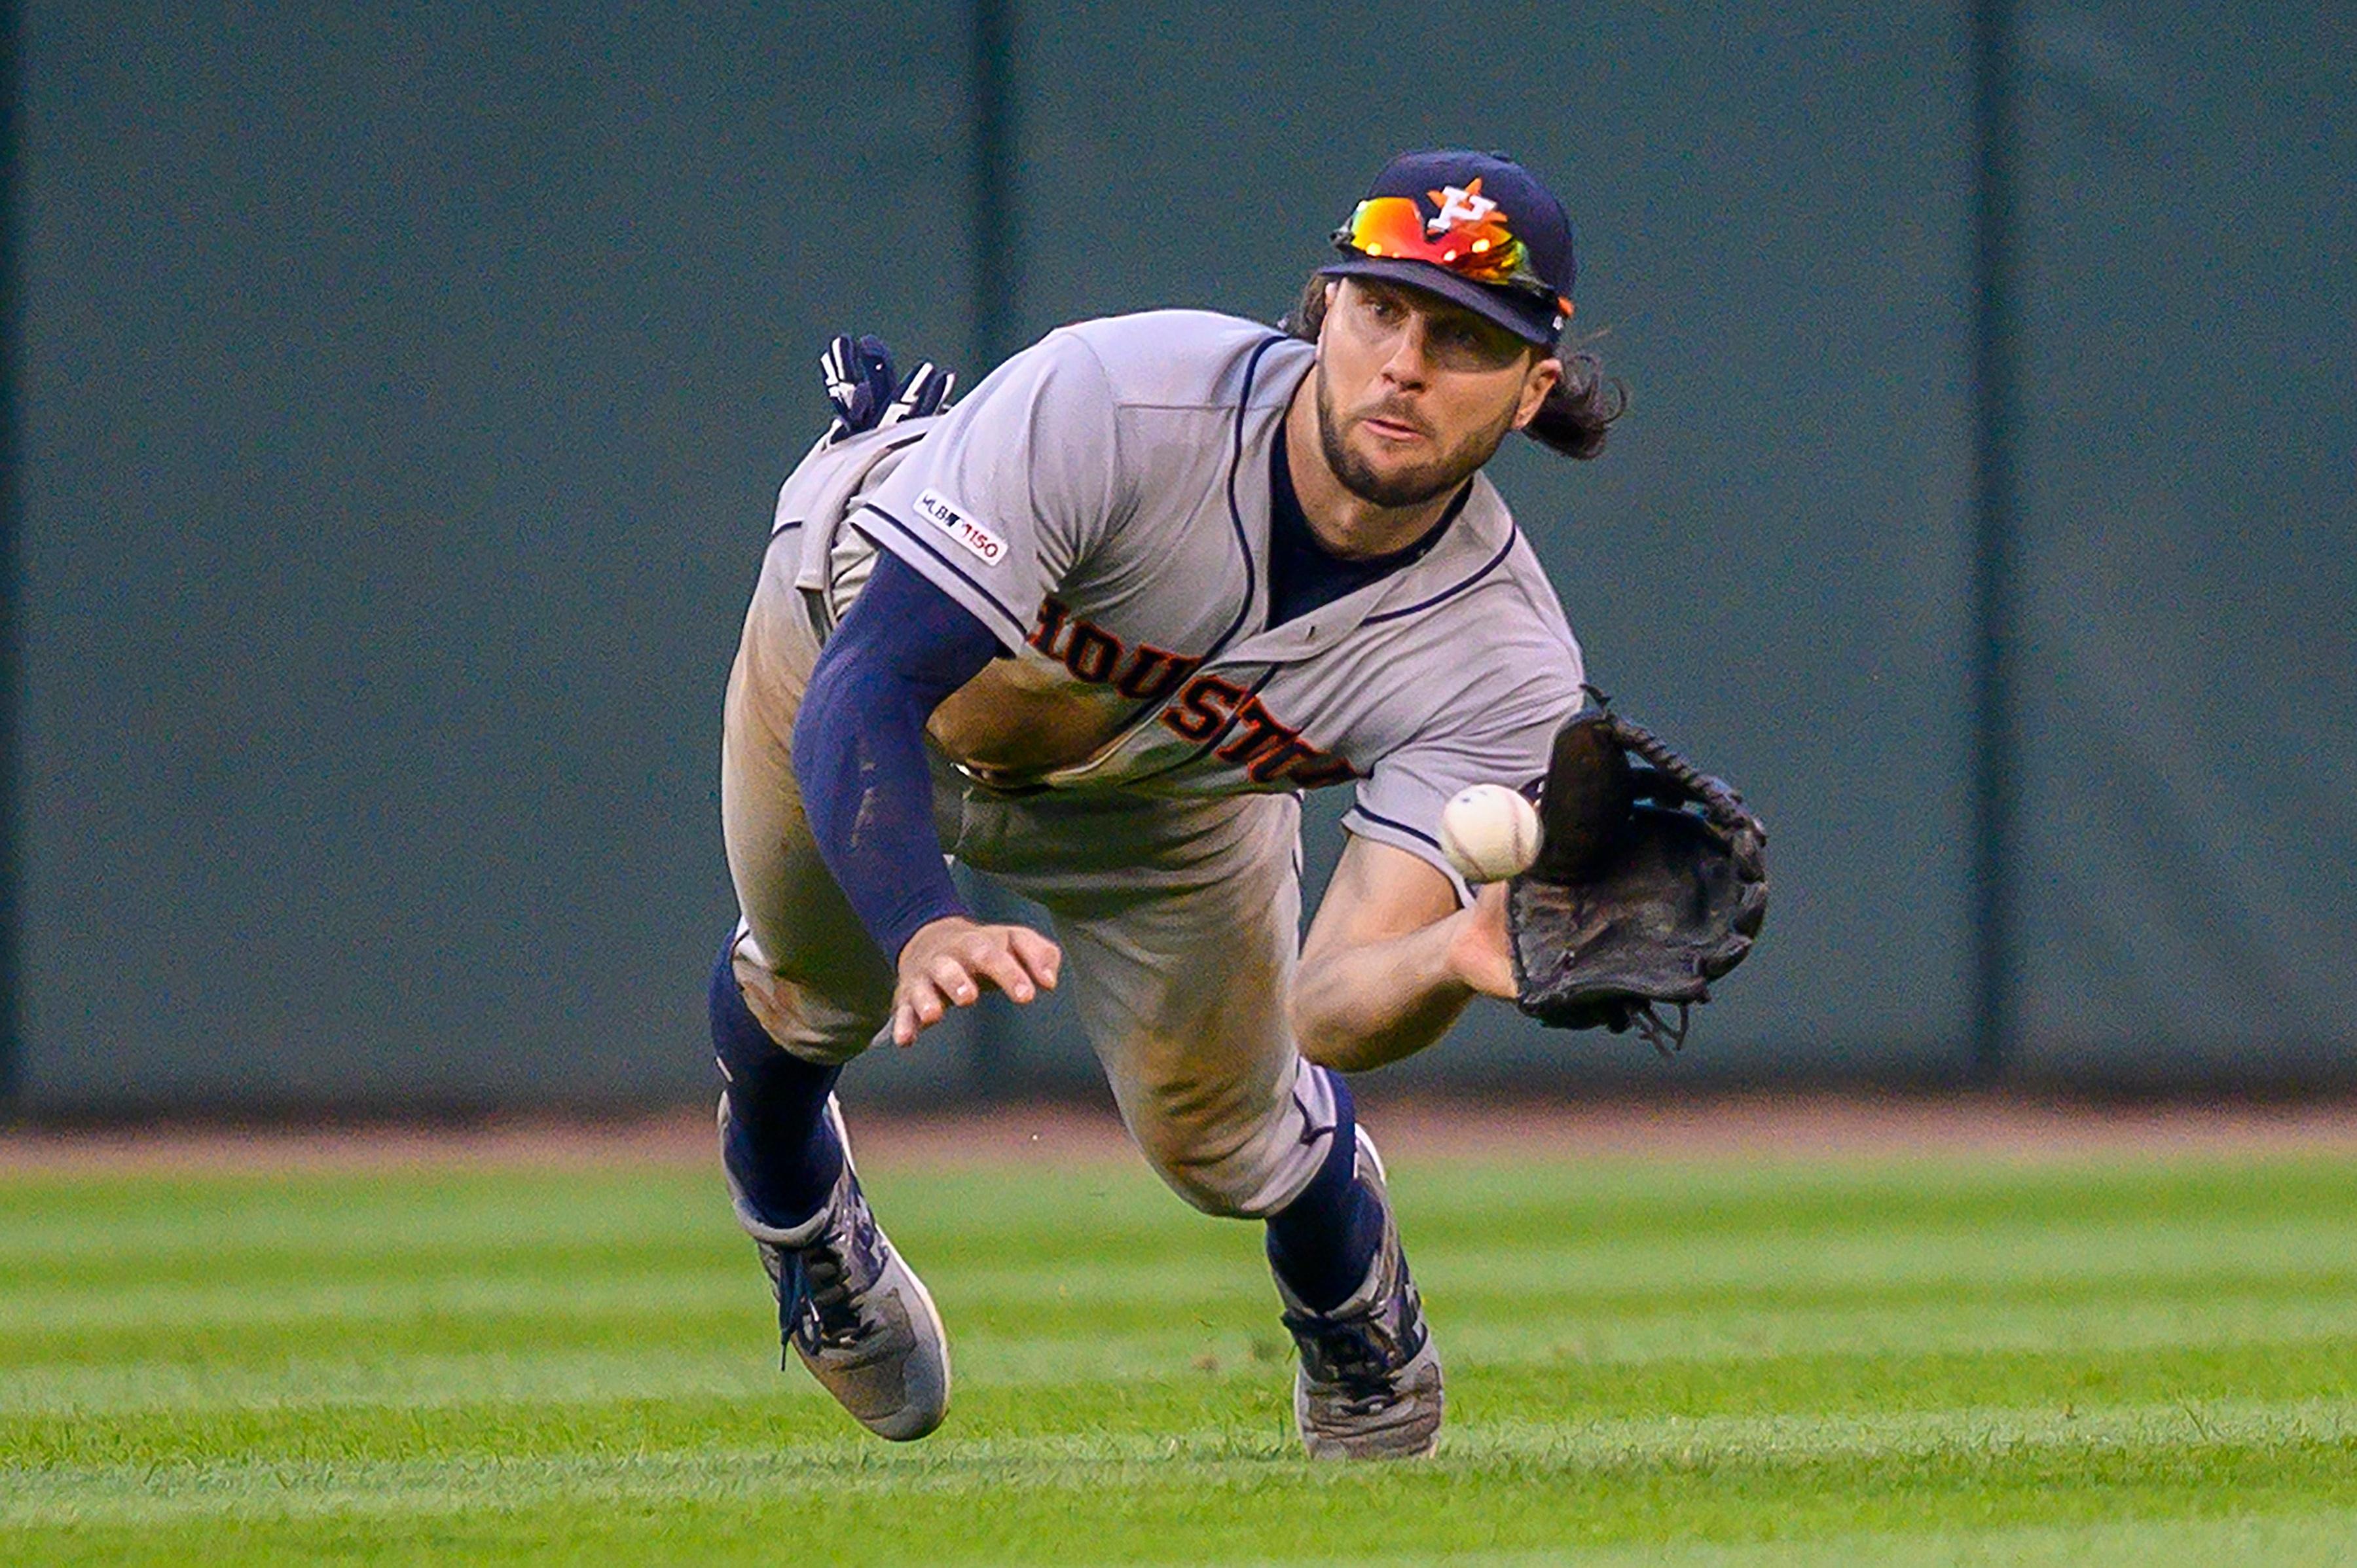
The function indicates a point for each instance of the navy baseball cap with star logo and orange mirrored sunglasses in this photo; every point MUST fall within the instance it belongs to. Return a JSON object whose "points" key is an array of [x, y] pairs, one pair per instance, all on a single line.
{"points": [[1472, 228]]}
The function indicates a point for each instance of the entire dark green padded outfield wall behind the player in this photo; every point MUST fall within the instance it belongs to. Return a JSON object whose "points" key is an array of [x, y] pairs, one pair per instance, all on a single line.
{"points": [[404, 397]]}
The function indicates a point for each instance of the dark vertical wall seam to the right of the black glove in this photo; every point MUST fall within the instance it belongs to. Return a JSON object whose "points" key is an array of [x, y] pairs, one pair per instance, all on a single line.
{"points": [[1995, 779]]}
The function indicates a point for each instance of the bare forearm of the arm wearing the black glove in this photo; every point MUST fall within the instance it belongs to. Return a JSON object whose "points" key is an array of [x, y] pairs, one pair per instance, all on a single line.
{"points": [[1373, 1003]]}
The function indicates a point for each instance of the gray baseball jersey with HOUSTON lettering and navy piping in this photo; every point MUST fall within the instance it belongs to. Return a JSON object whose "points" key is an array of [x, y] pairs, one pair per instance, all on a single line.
{"points": [[1102, 503]]}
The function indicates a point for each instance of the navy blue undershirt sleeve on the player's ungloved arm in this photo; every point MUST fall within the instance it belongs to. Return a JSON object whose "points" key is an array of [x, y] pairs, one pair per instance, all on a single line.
{"points": [[859, 749]]}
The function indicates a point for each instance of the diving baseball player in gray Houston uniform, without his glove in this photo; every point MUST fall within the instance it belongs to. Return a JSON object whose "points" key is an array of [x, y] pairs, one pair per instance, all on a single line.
{"points": [[1092, 633]]}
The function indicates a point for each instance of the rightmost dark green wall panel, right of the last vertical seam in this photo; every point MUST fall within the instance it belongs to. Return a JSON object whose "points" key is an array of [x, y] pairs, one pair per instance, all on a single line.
{"points": [[2191, 539]]}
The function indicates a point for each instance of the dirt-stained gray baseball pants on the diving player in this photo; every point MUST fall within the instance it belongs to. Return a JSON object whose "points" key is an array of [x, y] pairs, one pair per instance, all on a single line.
{"points": [[1180, 928]]}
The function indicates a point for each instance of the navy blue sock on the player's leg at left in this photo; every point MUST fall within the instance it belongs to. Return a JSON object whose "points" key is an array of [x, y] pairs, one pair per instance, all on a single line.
{"points": [[781, 1147]]}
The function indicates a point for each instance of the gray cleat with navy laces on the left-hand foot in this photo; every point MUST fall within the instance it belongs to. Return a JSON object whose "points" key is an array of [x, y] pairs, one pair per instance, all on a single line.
{"points": [[852, 1310]]}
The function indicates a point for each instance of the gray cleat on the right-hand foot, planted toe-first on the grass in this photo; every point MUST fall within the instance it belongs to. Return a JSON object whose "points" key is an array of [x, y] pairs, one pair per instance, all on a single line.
{"points": [[1371, 1378]]}
